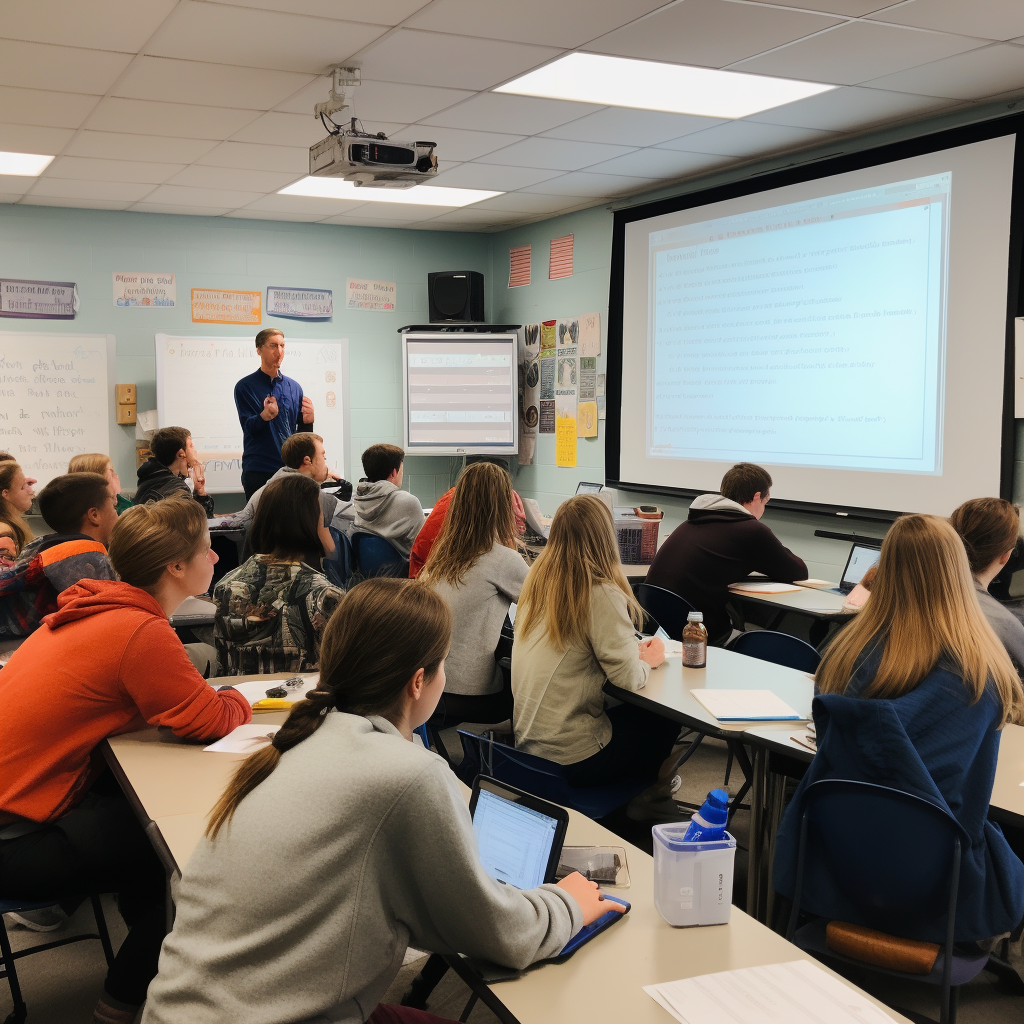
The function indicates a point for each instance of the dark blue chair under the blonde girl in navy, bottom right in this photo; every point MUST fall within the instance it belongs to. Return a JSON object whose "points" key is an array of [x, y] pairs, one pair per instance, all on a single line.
{"points": [[845, 829]]}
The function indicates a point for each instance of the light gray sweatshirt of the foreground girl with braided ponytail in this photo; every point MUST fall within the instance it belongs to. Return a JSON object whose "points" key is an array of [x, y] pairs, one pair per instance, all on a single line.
{"points": [[359, 845]]}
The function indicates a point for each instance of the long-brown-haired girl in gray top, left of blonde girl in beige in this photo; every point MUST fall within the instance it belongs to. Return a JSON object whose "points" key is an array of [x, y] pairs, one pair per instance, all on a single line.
{"points": [[476, 568]]}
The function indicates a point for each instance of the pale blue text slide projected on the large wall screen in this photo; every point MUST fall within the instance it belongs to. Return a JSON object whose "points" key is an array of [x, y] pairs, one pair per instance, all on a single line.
{"points": [[812, 334]]}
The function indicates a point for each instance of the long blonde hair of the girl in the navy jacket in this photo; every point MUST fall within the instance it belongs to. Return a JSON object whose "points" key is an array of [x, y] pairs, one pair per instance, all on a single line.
{"points": [[924, 606]]}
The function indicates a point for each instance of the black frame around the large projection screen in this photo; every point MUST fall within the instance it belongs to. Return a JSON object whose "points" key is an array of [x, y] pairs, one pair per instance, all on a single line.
{"points": [[812, 172]]}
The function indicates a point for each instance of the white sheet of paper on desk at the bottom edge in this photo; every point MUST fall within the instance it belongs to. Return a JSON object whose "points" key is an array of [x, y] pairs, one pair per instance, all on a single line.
{"points": [[798, 993]]}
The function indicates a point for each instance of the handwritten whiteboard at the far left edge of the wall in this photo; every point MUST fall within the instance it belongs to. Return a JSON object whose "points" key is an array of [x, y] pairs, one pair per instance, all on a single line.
{"points": [[56, 398]]}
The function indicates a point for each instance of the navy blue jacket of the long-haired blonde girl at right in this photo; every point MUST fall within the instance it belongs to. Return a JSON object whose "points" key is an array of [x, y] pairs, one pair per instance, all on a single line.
{"points": [[934, 744]]}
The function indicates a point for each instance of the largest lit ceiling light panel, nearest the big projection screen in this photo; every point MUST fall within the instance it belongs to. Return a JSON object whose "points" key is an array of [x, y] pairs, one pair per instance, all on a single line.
{"points": [[649, 86]]}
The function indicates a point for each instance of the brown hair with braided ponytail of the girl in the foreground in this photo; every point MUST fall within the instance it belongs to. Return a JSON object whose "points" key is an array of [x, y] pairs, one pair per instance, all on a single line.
{"points": [[381, 633]]}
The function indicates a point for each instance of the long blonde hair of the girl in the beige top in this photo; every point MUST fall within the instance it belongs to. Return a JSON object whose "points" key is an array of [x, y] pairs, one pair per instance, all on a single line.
{"points": [[581, 554]]}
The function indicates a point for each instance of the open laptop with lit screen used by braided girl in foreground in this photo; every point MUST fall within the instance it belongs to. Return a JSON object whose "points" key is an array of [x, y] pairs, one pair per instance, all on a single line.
{"points": [[521, 840]]}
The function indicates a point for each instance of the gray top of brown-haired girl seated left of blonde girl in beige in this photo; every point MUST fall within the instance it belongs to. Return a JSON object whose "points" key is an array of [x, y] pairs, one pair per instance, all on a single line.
{"points": [[479, 610]]}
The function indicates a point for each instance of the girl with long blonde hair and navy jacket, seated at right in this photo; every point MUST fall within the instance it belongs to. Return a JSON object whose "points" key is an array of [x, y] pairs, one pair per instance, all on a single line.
{"points": [[914, 693]]}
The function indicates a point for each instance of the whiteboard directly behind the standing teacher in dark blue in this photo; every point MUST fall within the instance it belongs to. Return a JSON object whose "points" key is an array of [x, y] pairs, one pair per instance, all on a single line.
{"points": [[196, 379]]}
